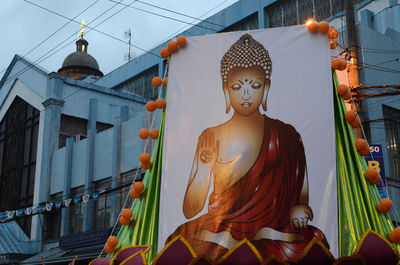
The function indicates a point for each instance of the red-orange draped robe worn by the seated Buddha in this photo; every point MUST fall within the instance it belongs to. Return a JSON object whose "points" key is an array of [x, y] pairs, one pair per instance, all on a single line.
{"points": [[261, 198]]}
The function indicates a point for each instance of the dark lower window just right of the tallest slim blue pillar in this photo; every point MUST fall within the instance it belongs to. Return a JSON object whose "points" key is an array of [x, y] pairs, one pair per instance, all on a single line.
{"points": [[103, 203]]}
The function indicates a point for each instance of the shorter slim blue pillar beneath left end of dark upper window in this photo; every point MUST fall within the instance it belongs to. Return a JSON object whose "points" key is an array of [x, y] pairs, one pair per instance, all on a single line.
{"points": [[66, 212]]}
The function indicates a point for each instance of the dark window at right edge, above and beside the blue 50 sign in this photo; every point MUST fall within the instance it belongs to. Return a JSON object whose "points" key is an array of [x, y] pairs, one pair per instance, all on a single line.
{"points": [[392, 130]]}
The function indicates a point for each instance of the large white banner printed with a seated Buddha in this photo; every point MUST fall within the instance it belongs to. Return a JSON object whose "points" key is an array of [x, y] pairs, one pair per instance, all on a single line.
{"points": [[249, 146]]}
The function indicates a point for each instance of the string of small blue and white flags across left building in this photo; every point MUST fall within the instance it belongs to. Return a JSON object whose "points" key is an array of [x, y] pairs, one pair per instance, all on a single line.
{"points": [[46, 207]]}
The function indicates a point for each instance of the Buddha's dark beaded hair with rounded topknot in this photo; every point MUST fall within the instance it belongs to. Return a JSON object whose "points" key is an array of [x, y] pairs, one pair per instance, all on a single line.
{"points": [[246, 52]]}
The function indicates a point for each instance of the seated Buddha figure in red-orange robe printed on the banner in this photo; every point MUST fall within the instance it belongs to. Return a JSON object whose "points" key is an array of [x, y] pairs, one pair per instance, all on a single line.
{"points": [[257, 166]]}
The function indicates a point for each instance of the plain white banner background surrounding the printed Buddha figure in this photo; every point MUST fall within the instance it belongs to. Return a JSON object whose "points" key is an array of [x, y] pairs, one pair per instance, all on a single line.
{"points": [[300, 95]]}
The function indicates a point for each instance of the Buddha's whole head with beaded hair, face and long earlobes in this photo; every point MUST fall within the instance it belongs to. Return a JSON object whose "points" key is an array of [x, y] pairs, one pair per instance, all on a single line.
{"points": [[245, 71]]}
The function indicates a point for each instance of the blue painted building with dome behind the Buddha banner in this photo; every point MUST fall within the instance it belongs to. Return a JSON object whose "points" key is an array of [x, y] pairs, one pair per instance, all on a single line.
{"points": [[75, 132]]}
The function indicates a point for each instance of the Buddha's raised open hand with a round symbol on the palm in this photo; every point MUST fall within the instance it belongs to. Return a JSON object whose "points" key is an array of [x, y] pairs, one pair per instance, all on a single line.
{"points": [[208, 147]]}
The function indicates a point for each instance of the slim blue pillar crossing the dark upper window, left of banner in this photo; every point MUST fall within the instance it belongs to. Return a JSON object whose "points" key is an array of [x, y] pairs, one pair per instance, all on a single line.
{"points": [[88, 208]]}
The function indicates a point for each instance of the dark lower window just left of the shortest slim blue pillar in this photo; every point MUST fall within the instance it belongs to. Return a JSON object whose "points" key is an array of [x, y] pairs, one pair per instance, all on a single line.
{"points": [[52, 219]]}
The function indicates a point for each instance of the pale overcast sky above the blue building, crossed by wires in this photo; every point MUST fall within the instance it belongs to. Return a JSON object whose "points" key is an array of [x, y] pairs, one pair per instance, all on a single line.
{"points": [[25, 25]]}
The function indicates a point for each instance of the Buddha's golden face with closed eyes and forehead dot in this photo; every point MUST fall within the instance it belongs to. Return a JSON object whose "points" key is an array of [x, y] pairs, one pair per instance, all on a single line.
{"points": [[246, 88]]}
